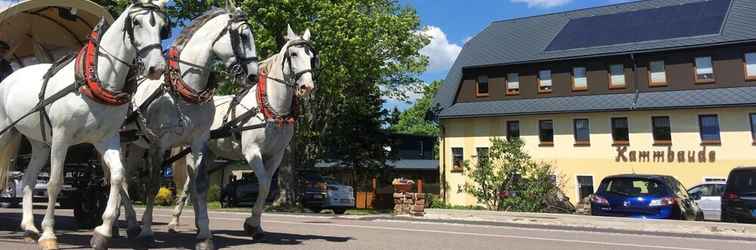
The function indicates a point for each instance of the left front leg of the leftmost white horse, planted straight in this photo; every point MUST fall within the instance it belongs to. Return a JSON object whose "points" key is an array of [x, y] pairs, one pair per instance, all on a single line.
{"points": [[58, 151]]}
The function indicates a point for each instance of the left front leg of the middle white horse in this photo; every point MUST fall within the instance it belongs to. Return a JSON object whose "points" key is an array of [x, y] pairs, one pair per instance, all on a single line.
{"points": [[155, 158]]}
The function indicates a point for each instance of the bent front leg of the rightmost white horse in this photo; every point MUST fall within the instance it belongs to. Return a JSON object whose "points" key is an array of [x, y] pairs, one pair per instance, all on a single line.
{"points": [[264, 171]]}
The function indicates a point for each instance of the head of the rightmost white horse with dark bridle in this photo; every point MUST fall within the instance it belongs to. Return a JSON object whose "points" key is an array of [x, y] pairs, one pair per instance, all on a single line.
{"points": [[300, 61]]}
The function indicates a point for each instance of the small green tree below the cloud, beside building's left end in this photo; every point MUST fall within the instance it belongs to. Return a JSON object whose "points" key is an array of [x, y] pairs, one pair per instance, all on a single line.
{"points": [[413, 120]]}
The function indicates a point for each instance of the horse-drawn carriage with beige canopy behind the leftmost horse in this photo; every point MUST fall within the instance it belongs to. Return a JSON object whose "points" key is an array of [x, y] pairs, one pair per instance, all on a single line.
{"points": [[43, 31]]}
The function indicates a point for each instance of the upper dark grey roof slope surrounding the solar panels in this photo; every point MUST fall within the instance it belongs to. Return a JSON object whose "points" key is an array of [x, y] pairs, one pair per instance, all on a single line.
{"points": [[524, 40]]}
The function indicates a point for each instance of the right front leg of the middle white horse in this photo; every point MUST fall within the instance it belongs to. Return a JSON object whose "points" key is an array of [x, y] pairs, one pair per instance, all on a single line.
{"points": [[199, 188]]}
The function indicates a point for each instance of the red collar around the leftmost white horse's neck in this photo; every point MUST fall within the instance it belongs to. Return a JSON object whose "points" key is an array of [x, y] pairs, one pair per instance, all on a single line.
{"points": [[86, 73]]}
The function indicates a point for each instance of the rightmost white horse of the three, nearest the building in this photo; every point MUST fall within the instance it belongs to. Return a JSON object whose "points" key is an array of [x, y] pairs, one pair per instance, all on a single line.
{"points": [[284, 77]]}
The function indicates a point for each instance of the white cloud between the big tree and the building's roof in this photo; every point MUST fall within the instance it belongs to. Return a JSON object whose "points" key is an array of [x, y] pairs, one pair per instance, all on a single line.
{"points": [[440, 52]]}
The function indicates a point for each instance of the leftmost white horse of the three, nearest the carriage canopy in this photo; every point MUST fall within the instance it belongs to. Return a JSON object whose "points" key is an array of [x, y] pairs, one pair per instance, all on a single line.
{"points": [[92, 114]]}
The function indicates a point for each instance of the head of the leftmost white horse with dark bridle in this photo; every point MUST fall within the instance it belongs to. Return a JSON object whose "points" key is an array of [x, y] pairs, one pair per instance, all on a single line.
{"points": [[146, 25]]}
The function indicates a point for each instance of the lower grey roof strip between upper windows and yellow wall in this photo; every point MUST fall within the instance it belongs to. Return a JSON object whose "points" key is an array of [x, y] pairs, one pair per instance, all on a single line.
{"points": [[701, 98]]}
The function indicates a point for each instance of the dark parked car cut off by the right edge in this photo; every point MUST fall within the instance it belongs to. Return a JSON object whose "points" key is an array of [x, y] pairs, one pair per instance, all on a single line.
{"points": [[739, 198]]}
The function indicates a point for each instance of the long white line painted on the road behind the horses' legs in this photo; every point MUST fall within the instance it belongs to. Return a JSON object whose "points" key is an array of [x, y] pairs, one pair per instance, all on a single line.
{"points": [[471, 234]]}
